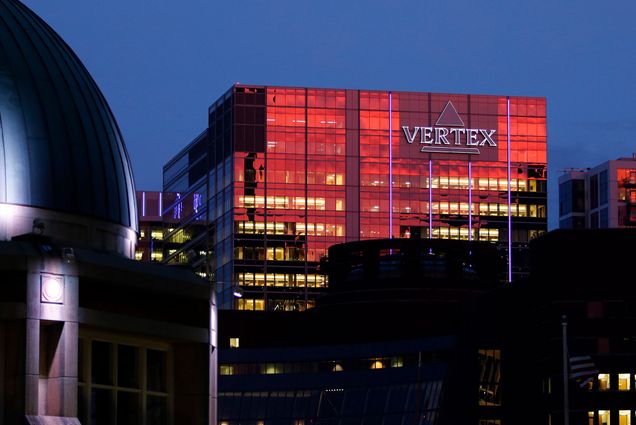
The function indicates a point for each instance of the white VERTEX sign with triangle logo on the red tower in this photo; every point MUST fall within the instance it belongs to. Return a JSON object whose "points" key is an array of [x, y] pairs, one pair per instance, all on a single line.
{"points": [[449, 135]]}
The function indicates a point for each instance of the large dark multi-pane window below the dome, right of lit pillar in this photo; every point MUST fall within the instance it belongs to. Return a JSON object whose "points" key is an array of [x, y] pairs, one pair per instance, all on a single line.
{"points": [[123, 383]]}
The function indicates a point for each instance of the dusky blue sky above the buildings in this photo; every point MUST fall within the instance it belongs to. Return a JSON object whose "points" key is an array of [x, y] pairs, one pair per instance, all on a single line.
{"points": [[160, 64]]}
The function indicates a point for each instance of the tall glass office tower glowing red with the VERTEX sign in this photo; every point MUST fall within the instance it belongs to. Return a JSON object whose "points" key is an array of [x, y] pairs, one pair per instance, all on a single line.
{"points": [[283, 173]]}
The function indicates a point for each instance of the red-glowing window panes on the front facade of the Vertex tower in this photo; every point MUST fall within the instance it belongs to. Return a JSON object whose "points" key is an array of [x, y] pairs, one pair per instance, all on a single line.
{"points": [[304, 171]]}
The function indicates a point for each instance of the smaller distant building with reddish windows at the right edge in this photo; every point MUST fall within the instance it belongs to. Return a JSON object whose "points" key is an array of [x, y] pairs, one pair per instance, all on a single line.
{"points": [[599, 197]]}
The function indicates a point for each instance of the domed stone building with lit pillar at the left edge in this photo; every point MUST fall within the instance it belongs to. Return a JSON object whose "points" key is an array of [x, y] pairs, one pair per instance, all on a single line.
{"points": [[87, 334]]}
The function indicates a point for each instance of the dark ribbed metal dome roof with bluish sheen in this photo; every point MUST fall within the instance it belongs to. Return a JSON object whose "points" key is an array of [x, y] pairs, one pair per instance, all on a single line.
{"points": [[60, 147]]}
